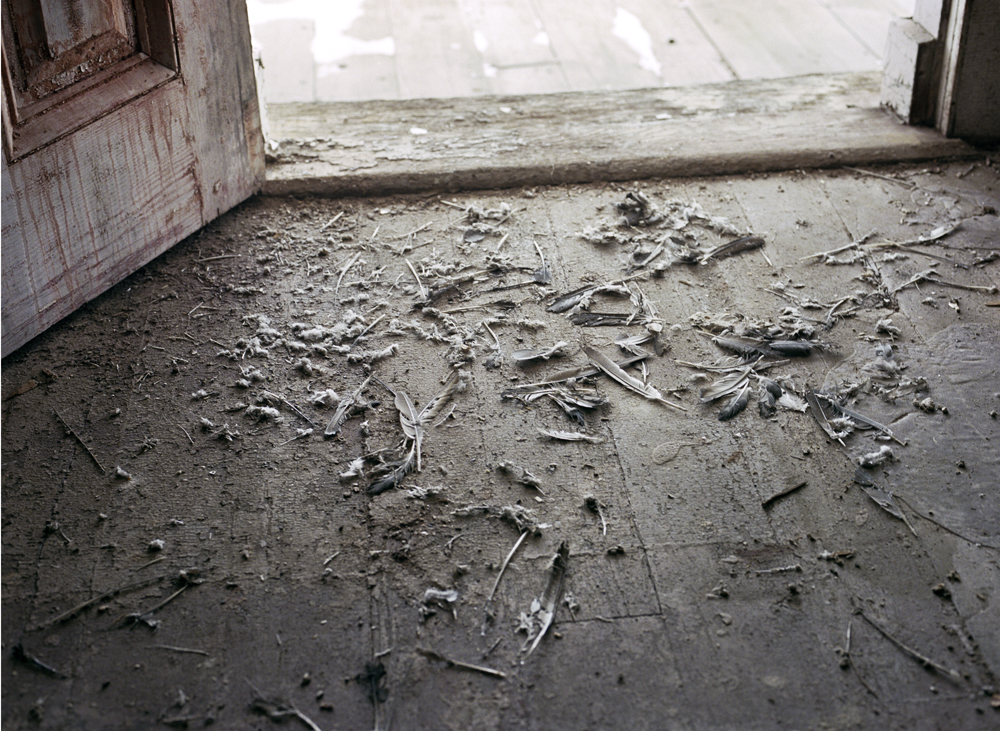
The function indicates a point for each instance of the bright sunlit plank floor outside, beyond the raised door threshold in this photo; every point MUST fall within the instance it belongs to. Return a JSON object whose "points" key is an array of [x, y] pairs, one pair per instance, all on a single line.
{"points": [[355, 50]]}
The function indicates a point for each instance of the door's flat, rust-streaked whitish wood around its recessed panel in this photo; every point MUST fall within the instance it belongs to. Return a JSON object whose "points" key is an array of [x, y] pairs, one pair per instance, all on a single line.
{"points": [[90, 208]]}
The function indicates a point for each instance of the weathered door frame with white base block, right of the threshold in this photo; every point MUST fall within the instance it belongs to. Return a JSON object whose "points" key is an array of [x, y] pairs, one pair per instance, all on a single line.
{"points": [[941, 68]]}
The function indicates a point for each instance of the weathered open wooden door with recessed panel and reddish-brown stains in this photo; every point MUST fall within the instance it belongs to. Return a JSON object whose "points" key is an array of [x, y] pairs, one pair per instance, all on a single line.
{"points": [[127, 125]]}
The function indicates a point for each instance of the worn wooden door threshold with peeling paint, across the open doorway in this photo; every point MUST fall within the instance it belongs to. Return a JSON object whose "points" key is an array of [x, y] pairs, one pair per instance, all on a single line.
{"points": [[470, 143]]}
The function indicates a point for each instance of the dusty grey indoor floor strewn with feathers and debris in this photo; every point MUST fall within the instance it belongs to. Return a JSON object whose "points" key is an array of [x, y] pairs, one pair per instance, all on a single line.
{"points": [[707, 601]]}
